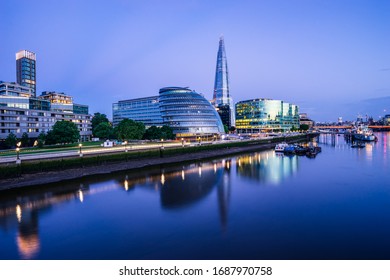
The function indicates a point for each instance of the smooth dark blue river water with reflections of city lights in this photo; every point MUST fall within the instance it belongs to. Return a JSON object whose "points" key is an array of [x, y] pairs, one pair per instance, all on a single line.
{"points": [[257, 205]]}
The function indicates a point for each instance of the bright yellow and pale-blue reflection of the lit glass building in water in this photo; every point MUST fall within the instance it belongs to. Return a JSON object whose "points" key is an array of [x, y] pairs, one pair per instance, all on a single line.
{"points": [[266, 166]]}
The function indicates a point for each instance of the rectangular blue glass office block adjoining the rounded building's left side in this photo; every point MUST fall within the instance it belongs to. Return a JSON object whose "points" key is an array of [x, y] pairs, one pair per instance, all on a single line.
{"points": [[145, 110]]}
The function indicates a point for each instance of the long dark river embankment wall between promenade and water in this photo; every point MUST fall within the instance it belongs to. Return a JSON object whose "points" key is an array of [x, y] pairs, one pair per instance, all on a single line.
{"points": [[41, 178]]}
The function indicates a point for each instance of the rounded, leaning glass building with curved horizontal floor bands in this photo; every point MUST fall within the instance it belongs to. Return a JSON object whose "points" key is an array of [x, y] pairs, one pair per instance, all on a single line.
{"points": [[188, 113]]}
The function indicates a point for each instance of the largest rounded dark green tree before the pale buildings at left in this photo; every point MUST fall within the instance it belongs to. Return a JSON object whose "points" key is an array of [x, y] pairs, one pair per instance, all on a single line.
{"points": [[63, 132]]}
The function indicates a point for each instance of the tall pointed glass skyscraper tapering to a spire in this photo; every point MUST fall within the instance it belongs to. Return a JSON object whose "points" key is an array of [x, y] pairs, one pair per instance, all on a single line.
{"points": [[221, 97]]}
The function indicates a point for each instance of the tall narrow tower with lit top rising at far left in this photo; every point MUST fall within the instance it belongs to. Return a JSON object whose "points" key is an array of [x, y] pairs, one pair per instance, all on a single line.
{"points": [[26, 70]]}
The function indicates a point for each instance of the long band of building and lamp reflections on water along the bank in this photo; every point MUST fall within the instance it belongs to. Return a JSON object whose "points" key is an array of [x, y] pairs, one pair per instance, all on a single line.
{"points": [[178, 187]]}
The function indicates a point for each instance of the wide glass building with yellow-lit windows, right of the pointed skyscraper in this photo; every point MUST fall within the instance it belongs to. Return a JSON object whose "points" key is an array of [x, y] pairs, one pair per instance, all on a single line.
{"points": [[260, 115]]}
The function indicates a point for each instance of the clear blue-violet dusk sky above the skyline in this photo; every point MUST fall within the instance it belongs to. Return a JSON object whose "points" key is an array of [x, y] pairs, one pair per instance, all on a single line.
{"points": [[329, 57]]}
